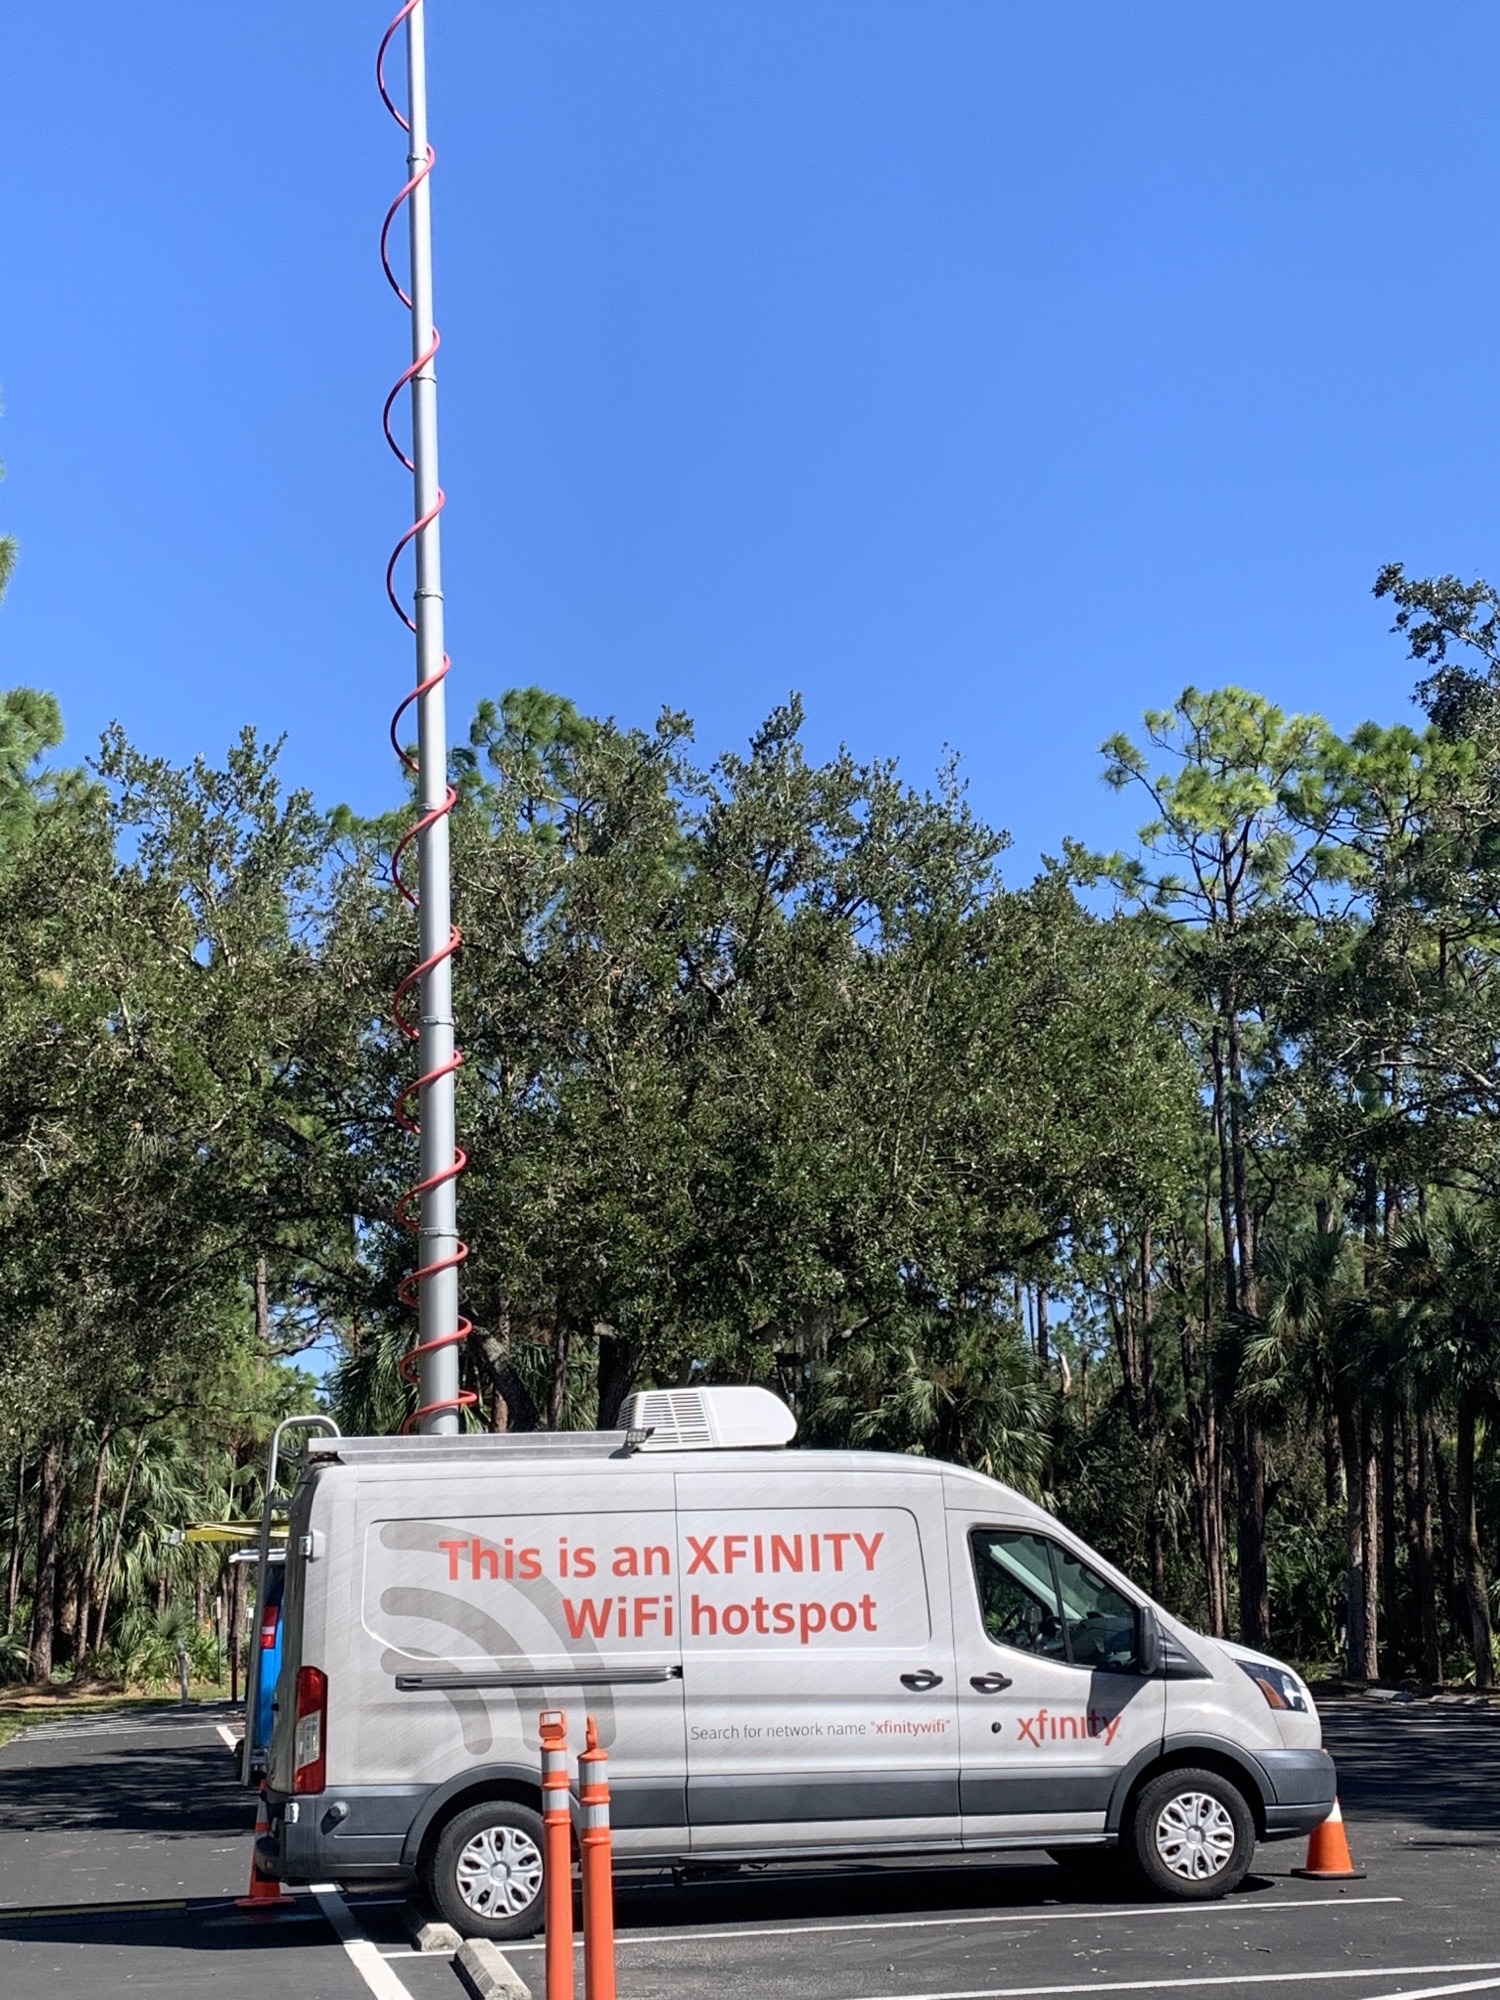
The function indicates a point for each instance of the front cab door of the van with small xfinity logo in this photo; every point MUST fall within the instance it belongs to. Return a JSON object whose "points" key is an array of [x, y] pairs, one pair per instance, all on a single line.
{"points": [[1051, 1695]]}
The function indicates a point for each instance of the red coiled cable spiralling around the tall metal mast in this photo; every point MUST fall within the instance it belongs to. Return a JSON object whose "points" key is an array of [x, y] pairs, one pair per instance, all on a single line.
{"points": [[409, 1289]]}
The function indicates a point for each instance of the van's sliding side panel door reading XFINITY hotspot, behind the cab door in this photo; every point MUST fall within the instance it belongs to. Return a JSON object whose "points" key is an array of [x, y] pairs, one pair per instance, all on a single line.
{"points": [[817, 1659]]}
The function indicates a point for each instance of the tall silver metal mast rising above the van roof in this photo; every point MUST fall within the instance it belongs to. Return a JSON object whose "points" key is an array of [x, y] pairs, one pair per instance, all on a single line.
{"points": [[439, 1213]]}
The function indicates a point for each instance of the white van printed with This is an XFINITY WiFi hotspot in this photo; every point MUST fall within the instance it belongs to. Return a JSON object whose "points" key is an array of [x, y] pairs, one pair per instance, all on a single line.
{"points": [[791, 1655]]}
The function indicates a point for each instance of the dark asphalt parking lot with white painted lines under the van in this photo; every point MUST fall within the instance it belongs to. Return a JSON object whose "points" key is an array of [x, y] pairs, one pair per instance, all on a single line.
{"points": [[123, 1843]]}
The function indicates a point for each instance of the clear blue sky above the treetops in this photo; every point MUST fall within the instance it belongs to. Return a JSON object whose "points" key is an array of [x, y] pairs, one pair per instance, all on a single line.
{"points": [[983, 371]]}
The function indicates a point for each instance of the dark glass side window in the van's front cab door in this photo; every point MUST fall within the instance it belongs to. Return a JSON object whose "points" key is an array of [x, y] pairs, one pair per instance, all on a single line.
{"points": [[1041, 1599]]}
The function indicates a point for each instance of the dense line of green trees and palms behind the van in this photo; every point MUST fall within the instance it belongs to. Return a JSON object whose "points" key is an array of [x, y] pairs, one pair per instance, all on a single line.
{"points": [[1163, 1187]]}
